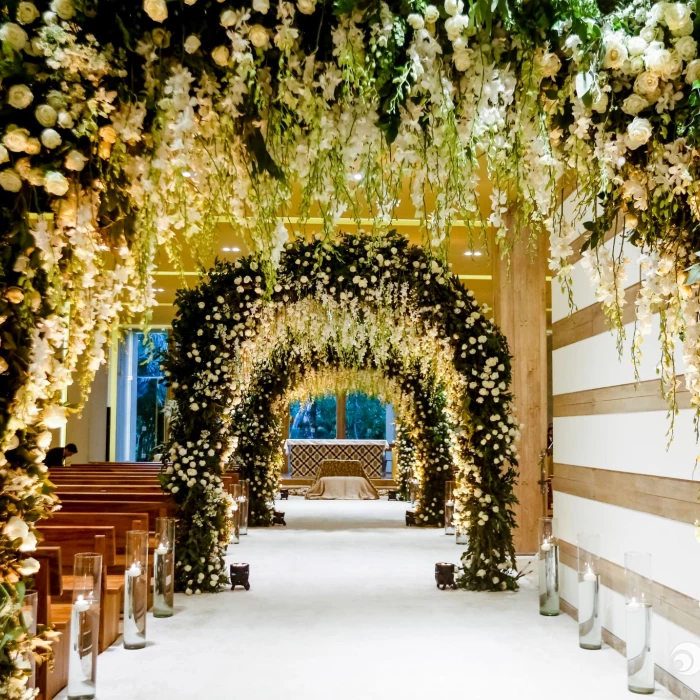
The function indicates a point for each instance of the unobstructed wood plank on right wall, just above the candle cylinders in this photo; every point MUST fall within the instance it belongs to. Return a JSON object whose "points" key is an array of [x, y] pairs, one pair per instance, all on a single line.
{"points": [[675, 499]]}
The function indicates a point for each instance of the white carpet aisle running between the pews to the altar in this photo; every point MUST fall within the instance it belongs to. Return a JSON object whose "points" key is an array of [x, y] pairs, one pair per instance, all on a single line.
{"points": [[343, 605]]}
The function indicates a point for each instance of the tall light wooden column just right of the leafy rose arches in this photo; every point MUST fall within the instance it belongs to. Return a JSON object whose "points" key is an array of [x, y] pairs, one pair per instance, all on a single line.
{"points": [[520, 309]]}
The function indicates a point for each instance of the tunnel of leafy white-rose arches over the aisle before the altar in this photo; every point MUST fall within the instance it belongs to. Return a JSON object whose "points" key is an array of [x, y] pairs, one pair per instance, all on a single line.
{"points": [[362, 302]]}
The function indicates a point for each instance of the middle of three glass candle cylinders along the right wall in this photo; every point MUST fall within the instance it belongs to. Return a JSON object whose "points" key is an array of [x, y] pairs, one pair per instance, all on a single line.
{"points": [[590, 633]]}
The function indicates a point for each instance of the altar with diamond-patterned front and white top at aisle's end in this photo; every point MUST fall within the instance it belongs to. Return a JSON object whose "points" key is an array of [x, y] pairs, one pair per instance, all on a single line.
{"points": [[305, 456]]}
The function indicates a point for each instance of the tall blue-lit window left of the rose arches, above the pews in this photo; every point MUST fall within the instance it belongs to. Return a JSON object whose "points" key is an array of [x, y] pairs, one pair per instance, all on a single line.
{"points": [[141, 396]]}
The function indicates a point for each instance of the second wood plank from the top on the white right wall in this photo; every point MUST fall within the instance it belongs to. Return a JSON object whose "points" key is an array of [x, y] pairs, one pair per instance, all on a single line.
{"points": [[623, 398]]}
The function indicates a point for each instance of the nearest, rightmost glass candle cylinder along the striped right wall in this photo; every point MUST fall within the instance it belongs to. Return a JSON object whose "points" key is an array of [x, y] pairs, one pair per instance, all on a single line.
{"points": [[638, 606]]}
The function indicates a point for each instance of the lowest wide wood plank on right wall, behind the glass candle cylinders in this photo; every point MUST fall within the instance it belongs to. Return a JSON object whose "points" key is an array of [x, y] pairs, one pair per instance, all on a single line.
{"points": [[673, 605]]}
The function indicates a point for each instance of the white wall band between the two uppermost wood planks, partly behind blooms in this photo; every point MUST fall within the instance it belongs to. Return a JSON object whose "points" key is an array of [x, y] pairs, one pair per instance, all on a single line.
{"points": [[593, 363]]}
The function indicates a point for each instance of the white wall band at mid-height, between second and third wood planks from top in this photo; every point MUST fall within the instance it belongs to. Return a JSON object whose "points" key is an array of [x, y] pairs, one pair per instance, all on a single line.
{"points": [[629, 442]]}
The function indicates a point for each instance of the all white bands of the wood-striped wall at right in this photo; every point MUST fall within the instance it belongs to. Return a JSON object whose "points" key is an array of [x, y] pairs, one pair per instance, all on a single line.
{"points": [[625, 442]]}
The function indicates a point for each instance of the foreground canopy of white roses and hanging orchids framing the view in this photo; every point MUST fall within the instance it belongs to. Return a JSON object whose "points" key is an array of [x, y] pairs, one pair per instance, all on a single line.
{"points": [[126, 131]]}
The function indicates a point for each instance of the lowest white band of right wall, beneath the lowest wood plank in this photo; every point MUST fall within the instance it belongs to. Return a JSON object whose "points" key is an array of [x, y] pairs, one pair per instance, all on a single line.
{"points": [[666, 636]]}
